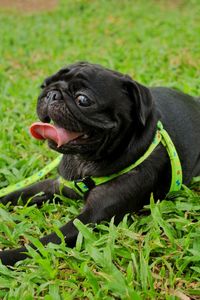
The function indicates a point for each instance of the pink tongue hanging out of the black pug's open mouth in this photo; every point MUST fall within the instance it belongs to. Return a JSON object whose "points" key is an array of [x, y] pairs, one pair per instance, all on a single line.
{"points": [[60, 136]]}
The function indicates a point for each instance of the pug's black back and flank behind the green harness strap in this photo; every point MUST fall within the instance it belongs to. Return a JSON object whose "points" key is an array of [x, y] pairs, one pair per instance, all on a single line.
{"points": [[180, 114]]}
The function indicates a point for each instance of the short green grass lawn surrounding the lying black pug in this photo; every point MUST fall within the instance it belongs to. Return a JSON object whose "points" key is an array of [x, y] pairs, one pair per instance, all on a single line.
{"points": [[152, 255]]}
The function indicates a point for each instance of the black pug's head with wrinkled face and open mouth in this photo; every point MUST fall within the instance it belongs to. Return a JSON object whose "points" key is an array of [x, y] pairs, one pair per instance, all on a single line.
{"points": [[94, 110]]}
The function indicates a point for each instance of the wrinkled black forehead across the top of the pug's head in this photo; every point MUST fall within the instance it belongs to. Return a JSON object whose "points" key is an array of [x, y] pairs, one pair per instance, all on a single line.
{"points": [[90, 73]]}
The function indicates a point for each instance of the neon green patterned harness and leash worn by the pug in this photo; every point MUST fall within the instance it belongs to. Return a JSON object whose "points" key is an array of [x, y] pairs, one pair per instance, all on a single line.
{"points": [[85, 184]]}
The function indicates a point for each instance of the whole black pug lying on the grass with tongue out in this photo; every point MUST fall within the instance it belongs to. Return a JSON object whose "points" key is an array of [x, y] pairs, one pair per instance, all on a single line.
{"points": [[103, 121]]}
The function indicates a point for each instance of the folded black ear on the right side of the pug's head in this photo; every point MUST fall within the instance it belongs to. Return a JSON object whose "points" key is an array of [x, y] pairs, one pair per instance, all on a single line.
{"points": [[141, 97]]}
